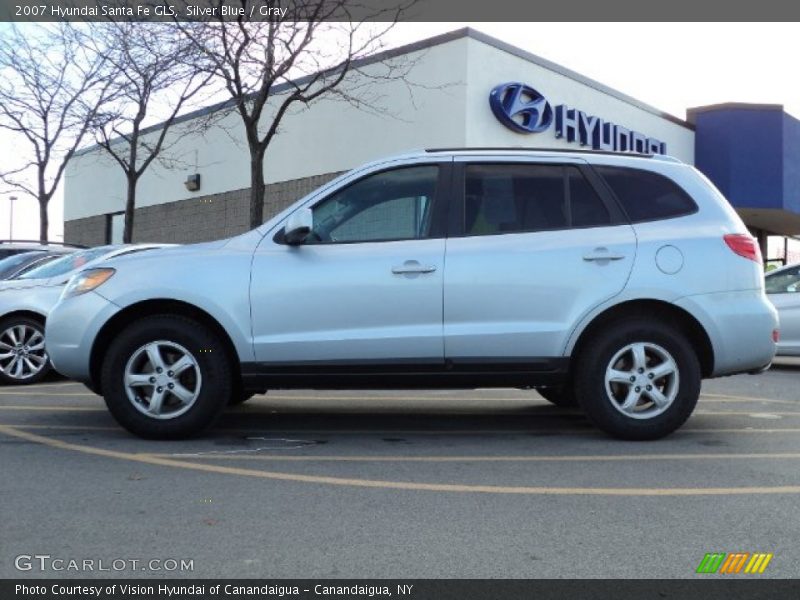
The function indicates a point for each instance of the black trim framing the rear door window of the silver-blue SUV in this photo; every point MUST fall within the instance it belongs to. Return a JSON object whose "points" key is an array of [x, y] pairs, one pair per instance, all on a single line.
{"points": [[456, 215]]}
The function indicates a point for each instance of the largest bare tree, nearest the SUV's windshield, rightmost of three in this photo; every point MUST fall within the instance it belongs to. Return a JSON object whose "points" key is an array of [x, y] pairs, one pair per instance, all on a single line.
{"points": [[290, 58]]}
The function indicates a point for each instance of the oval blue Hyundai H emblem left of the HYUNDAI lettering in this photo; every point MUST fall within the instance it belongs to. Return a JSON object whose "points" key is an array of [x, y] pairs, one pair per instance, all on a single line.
{"points": [[521, 108]]}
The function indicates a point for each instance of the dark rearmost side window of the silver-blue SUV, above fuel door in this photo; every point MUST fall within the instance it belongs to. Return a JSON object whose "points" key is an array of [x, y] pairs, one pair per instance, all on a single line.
{"points": [[647, 196]]}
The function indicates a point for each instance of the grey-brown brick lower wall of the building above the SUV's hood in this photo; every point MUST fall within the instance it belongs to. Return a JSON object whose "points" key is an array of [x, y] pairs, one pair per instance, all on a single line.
{"points": [[200, 219]]}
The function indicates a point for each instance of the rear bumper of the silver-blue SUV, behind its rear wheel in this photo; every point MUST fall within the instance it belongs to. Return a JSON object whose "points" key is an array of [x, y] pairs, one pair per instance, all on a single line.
{"points": [[739, 325]]}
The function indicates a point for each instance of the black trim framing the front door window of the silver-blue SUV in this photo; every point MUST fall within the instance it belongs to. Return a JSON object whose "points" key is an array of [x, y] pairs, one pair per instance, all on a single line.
{"points": [[441, 201]]}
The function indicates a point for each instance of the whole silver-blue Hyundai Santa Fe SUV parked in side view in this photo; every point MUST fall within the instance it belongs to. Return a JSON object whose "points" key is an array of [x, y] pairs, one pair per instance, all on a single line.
{"points": [[614, 282]]}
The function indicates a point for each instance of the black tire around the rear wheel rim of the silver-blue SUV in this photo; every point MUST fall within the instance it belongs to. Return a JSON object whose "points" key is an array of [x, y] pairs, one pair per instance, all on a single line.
{"points": [[601, 406]]}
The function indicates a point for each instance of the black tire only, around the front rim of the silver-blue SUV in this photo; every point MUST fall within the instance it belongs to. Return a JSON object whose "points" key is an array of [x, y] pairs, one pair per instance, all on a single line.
{"points": [[211, 389]]}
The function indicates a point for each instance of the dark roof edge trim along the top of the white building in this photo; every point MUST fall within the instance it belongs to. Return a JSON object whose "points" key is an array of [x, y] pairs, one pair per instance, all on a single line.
{"points": [[431, 42]]}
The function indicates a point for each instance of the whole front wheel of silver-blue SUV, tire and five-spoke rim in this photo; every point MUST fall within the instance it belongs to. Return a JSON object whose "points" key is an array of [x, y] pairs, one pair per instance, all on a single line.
{"points": [[166, 377]]}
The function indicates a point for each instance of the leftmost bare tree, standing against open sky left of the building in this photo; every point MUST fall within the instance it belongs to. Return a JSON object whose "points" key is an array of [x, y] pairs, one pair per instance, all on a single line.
{"points": [[50, 92]]}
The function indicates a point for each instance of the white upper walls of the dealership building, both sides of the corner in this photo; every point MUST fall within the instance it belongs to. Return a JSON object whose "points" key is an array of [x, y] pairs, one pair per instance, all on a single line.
{"points": [[446, 105]]}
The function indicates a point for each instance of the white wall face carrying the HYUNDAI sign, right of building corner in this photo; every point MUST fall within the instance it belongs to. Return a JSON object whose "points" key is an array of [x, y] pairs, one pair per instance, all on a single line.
{"points": [[488, 67]]}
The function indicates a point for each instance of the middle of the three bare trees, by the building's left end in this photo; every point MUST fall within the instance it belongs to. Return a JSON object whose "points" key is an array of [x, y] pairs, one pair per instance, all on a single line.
{"points": [[156, 76]]}
